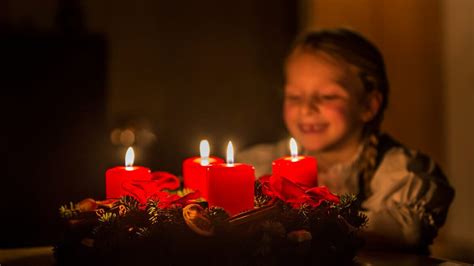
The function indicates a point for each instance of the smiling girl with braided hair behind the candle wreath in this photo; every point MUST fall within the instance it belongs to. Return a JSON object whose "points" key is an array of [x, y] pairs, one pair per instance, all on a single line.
{"points": [[335, 94]]}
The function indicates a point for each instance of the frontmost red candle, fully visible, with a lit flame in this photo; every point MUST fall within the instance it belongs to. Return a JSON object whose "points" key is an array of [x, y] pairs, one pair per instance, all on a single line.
{"points": [[231, 185]]}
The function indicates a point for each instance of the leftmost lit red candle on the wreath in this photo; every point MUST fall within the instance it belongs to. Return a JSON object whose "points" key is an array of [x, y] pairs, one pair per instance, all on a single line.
{"points": [[114, 177]]}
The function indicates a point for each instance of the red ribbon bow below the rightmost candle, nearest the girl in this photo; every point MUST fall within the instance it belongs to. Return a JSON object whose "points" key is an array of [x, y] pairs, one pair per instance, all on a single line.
{"points": [[293, 194]]}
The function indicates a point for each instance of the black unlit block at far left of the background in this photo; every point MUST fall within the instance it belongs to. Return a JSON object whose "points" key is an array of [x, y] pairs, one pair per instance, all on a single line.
{"points": [[53, 98]]}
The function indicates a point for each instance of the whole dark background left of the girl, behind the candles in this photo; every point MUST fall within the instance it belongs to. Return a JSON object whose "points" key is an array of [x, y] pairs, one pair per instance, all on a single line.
{"points": [[211, 71]]}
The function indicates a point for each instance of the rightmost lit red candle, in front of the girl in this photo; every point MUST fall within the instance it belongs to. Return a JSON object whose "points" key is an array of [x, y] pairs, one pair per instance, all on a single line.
{"points": [[302, 170]]}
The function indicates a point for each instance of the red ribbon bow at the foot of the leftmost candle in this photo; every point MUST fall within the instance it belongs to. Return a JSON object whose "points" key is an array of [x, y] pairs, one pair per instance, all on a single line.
{"points": [[142, 189]]}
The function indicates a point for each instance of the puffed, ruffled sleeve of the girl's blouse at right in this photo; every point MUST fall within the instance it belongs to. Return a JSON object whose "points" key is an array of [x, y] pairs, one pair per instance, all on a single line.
{"points": [[409, 201]]}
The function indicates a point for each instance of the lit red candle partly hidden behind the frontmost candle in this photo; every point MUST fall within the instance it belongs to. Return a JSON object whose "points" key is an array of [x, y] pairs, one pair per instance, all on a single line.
{"points": [[195, 169]]}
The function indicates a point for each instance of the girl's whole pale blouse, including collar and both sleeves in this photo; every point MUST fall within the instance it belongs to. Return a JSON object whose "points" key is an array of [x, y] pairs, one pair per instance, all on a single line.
{"points": [[409, 196]]}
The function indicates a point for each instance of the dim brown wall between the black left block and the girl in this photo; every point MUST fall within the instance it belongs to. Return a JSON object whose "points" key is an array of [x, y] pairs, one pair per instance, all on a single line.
{"points": [[207, 69]]}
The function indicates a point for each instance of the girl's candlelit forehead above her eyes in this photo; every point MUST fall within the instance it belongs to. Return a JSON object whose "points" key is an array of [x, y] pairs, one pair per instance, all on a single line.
{"points": [[315, 69]]}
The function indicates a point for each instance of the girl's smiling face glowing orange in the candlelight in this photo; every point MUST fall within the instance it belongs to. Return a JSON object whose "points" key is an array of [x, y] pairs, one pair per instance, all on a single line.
{"points": [[323, 105]]}
